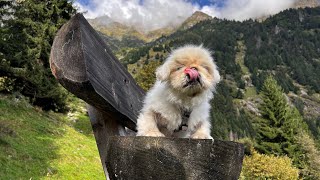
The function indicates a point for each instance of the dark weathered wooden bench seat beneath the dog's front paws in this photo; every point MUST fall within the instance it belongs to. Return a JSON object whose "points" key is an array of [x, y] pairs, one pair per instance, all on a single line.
{"points": [[169, 158]]}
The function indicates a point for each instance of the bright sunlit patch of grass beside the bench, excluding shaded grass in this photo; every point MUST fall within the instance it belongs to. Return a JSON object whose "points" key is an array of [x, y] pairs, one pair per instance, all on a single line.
{"points": [[78, 157]]}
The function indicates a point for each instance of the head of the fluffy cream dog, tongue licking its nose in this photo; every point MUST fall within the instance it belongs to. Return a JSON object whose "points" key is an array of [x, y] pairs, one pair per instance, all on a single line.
{"points": [[190, 70]]}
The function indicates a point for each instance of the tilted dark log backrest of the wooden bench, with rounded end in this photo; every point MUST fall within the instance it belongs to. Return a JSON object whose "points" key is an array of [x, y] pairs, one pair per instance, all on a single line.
{"points": [[84, 65]]}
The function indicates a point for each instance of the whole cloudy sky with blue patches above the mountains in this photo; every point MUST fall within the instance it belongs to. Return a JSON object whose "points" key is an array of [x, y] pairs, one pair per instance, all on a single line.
{"points": [[150, 15]]}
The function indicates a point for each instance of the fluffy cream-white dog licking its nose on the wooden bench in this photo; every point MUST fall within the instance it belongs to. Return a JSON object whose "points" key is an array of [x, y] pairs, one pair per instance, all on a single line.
{"points": [[184, 84]]}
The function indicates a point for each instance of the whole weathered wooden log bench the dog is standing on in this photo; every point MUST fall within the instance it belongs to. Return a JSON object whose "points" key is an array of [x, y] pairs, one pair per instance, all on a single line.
{"points": [[86, 67]]}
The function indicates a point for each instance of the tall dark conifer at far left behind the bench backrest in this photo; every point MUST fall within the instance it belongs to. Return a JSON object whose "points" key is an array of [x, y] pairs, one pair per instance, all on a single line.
{"points": [[26, 49]]}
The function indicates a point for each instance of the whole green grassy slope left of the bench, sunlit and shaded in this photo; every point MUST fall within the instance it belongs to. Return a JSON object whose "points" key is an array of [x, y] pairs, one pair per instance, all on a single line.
{"points": [[45, 145]]}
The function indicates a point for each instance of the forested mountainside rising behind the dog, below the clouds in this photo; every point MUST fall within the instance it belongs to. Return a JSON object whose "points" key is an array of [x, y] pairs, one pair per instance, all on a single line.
{"points": [[285, 45]]}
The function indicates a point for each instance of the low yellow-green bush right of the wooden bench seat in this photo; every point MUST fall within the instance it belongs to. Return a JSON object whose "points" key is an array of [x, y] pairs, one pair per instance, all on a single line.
{"points": [[260, 166]]}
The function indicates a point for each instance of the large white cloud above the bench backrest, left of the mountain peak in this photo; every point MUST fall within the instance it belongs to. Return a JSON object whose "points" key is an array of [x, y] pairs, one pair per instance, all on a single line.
{"points": [[151, 15]]}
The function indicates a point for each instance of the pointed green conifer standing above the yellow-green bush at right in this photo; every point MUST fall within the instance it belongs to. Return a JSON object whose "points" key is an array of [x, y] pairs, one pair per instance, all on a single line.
{"points": [[279, 123]]}
